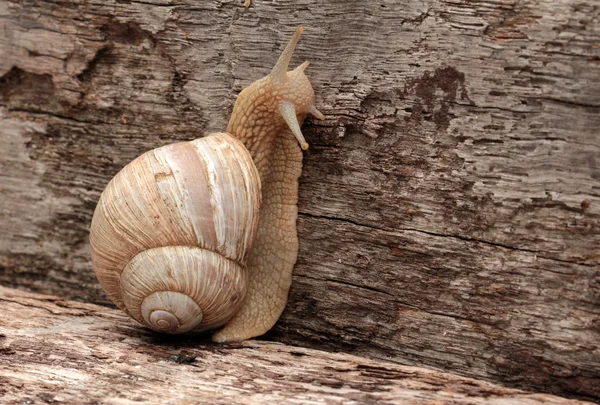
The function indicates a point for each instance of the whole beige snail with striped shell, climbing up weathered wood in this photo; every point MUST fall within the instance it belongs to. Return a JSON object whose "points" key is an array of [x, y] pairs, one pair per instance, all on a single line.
{"points": [[196, 235]]}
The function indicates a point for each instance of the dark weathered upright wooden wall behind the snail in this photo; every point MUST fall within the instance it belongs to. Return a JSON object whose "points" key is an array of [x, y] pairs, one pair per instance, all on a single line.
{"points": [[450, 203]]}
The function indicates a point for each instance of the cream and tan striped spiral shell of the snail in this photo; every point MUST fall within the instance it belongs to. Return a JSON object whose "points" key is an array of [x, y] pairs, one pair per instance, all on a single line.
{"points": [[172, 232]]}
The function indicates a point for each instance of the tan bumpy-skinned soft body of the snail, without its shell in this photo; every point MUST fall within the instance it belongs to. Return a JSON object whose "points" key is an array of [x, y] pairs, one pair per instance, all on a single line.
{"points": [[258, 122]]}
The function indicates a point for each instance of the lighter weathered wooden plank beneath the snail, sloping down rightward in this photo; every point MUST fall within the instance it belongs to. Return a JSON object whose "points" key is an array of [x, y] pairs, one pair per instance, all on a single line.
{"points": [[56, 351]]}
